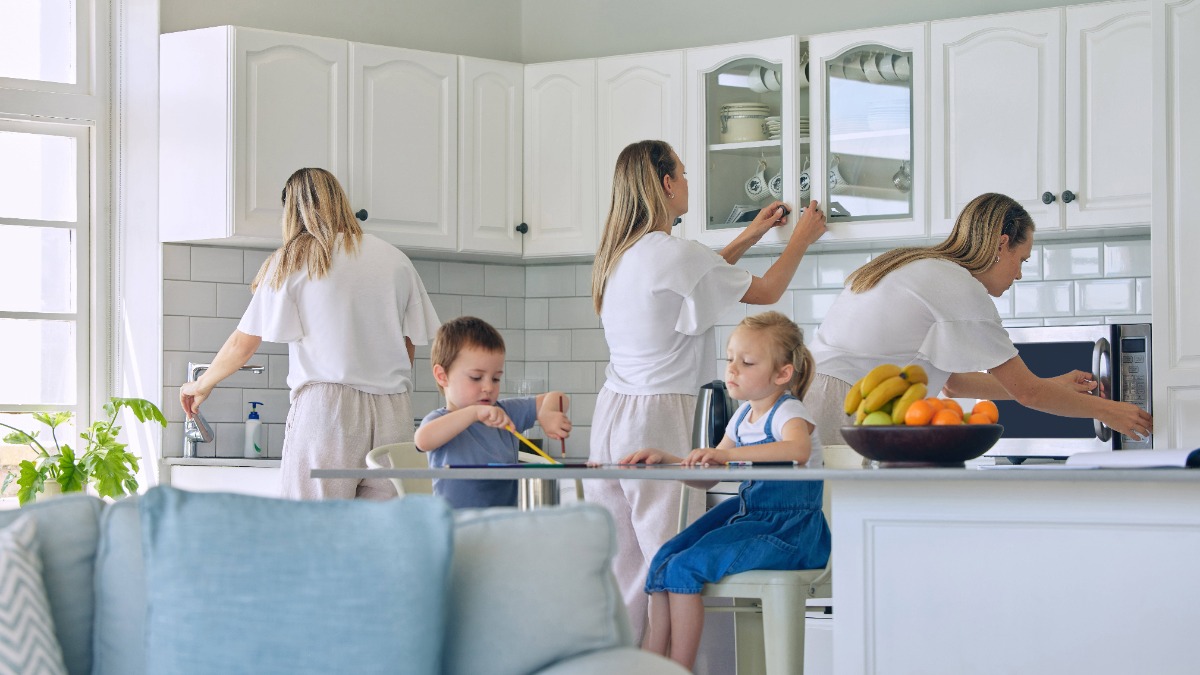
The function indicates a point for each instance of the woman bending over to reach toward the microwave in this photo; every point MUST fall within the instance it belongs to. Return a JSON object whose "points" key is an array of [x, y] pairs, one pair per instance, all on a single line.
{"points": [[933, 307]]}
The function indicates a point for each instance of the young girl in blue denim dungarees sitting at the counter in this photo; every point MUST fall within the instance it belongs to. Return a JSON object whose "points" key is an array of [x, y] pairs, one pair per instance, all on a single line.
{"points": [[775, 525]]}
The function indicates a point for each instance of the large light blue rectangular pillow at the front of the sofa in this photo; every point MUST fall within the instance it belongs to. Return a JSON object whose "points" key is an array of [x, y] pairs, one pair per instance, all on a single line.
{"points": [[242, 584]]}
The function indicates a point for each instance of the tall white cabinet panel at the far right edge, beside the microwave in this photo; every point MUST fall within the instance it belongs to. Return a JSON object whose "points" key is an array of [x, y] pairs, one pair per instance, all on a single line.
{"points": [[1175, 235]]}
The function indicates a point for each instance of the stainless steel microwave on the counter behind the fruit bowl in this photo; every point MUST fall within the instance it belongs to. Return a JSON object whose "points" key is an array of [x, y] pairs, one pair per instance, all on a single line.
{"points": [[1119, 356]]}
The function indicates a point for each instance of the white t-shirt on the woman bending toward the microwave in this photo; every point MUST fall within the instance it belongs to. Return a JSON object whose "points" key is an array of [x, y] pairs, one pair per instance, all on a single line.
{"points": [[931, 313]]}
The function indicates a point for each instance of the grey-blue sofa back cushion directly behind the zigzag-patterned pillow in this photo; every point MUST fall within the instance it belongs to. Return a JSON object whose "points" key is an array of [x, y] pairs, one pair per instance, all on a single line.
{"points": [[68, 531]]}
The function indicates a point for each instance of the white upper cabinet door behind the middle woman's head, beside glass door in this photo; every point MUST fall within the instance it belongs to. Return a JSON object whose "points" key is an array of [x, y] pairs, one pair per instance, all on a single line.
{"points": [[639, 98]]}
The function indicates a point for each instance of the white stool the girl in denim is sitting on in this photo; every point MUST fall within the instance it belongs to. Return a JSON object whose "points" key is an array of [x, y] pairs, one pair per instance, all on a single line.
{"points": [[770, 608]]}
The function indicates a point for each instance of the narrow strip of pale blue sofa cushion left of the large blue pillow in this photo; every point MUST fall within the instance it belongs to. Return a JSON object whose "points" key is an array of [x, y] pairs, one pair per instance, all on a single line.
{"points": [[119, 636]]}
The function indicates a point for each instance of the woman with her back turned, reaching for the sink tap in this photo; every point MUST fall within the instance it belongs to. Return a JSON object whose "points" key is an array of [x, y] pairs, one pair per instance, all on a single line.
{"points": [[351, 308]]}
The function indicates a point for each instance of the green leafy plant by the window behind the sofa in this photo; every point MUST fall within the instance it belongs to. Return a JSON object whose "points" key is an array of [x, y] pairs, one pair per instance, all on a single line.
{"points": [[104, 463]]}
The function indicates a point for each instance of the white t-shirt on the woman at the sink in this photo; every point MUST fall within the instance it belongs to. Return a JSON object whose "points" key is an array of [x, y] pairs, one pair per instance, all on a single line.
{"points": [[350, 327]]}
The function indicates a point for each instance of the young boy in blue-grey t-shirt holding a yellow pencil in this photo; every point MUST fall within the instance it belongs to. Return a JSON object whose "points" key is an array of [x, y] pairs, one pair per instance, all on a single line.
{"points": [[469, 363]]}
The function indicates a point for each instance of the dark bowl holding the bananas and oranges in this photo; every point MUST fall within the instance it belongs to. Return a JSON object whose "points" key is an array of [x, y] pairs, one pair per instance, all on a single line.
{"points": [[923, 446]]}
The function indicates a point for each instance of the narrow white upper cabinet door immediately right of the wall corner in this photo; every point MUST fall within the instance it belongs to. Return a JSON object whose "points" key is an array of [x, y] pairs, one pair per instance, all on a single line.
{"points": [[561, 159]]}
